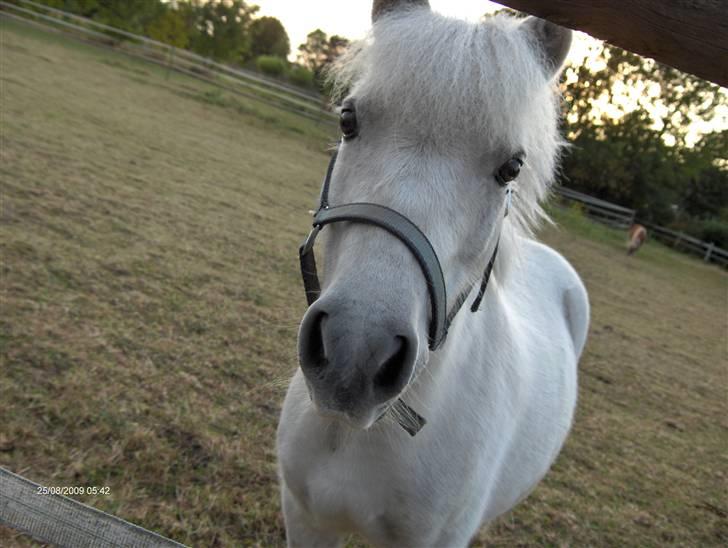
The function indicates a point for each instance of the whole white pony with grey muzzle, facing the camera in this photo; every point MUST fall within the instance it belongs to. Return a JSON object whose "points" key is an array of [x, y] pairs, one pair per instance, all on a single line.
{"points": [[439, 118]]}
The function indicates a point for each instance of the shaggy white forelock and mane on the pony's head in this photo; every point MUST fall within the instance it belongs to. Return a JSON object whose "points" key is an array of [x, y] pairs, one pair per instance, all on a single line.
{"points": [[451, 78]]}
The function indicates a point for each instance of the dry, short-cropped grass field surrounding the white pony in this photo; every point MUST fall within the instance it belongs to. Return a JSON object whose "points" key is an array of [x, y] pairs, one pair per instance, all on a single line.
{"points": [[150, 299]]}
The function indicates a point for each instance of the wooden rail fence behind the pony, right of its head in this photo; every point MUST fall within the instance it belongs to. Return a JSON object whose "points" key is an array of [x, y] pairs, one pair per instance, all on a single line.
{"points": [[622, 217]]}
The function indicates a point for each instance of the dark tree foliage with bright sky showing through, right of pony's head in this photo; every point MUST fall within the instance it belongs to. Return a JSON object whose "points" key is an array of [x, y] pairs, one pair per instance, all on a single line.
{"points": [[631, 123]]}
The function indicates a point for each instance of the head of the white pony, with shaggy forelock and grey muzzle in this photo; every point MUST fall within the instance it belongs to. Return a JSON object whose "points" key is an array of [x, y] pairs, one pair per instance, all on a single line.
{"points": [[437, 116]]}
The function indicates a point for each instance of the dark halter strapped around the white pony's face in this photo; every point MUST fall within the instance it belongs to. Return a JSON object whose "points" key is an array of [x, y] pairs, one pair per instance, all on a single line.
{"points": [[409, 234]]}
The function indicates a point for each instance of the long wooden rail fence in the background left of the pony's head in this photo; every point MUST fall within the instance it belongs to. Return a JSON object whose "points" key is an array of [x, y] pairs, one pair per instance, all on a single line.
{"points": [[235, 79]]}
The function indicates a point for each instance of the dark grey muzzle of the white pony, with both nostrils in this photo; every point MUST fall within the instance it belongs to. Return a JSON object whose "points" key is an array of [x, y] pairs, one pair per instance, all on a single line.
{"points": [[353, 366]]}
